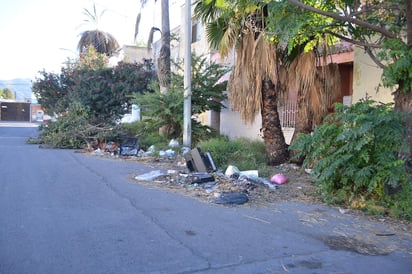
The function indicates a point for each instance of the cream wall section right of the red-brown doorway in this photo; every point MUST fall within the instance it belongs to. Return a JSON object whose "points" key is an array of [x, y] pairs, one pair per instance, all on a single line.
{"points": [[366, 79]]}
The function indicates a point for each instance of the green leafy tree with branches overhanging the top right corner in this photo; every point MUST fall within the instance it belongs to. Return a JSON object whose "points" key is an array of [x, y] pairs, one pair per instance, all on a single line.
{"points": [[382, 28]]}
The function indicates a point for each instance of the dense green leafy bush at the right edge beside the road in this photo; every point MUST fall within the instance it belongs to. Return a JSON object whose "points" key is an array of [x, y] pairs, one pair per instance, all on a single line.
{"points": [[354, 154]]}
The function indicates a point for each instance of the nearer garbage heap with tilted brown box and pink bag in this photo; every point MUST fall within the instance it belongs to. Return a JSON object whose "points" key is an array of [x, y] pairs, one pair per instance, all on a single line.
{"points": [[231, 187]]}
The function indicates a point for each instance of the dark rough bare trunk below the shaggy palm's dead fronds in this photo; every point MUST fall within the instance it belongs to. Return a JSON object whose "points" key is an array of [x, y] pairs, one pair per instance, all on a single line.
{"points": [[276, 147]]}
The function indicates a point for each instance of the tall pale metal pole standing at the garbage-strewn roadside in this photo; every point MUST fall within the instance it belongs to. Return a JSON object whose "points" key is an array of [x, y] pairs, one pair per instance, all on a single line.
{"points": [[187, 107]]}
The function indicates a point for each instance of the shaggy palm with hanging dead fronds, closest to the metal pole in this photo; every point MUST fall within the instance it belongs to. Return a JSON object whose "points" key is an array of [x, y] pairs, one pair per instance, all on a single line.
{"points": [[257, 77]]}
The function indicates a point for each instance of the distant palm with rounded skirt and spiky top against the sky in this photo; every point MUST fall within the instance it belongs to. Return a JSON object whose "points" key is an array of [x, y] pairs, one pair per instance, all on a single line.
{"points": [[103, 42]]}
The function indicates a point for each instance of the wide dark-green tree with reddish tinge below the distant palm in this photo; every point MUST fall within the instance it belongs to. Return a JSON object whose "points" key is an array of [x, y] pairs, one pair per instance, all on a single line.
{"points": [[106, 92]]}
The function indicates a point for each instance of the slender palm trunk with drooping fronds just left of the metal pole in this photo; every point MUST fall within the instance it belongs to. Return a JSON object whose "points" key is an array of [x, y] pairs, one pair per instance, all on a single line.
{"points": [[163, 61]]}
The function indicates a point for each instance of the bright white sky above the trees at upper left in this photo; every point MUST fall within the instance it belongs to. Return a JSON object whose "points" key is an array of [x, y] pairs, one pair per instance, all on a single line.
{"points": [[42, 34]]}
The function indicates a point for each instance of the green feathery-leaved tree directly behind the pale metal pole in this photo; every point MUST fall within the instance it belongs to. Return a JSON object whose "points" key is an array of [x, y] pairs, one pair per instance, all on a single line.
{"points": [[166, 110]]}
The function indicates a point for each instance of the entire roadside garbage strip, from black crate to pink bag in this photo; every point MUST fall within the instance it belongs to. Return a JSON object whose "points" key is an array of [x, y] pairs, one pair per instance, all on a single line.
{"points": [[195, 171]]}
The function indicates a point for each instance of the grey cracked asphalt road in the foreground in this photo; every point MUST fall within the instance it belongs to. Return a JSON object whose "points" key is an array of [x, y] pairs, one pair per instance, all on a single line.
{"points": [[67, 212]]}
